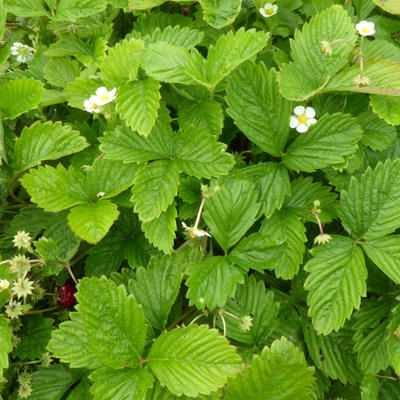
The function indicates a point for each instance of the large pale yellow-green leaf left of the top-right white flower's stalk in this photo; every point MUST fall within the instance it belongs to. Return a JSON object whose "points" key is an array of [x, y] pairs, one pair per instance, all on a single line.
{"points": [[311, 68]]}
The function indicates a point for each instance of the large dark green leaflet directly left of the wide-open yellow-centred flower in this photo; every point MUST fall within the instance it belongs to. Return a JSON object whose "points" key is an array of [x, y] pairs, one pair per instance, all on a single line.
{"points": [[257, 107]]}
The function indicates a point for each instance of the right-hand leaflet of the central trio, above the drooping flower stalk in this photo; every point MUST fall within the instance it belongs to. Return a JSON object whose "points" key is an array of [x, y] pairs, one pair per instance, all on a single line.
{"points": [[199, 154]]}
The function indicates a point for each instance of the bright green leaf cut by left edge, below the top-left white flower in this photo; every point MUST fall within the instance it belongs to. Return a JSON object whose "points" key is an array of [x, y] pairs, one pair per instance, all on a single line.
{"points": [[19, 96]]}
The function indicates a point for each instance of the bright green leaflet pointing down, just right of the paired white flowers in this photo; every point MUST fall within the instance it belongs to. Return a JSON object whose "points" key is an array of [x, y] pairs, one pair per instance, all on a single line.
{"points": [[138, 103]]}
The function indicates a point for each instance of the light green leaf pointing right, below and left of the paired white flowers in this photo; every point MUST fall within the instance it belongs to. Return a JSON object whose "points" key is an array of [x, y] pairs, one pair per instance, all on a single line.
{"points": [[45, 141]]}
